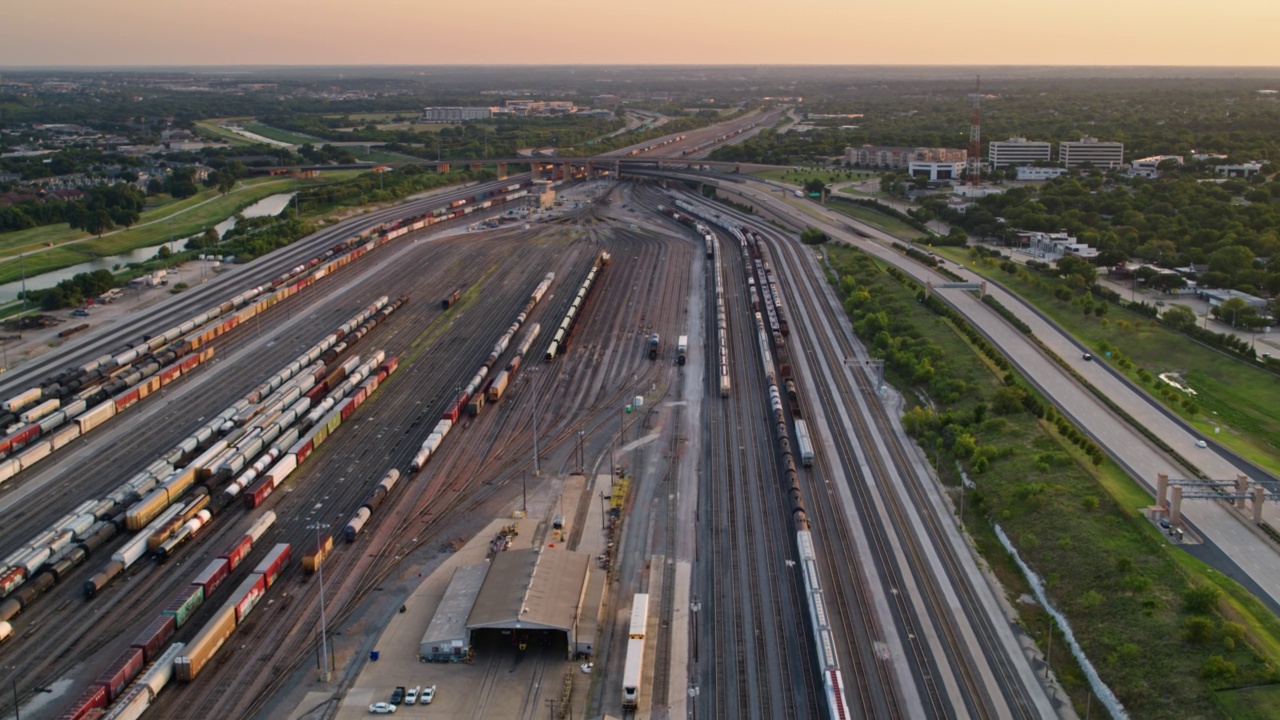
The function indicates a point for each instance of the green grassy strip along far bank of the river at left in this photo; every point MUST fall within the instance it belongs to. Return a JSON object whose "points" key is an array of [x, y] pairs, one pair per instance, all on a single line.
{"points": [[188, 224]]}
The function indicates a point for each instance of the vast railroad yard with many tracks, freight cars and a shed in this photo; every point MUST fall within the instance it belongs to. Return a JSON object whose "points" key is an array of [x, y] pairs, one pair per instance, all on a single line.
{"points": [[252, 500]]}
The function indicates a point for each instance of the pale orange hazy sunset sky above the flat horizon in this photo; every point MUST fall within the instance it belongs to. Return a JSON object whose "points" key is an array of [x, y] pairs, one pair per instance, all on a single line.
{"points": [[429, 33]]}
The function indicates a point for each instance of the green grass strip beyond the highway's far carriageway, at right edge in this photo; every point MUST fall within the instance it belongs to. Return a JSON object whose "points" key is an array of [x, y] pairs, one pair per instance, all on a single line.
{"points": [[1242, 400]]}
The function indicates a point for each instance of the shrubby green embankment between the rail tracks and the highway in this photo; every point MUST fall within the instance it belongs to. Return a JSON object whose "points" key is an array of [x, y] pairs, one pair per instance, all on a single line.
{"points": [[1163, 642]]}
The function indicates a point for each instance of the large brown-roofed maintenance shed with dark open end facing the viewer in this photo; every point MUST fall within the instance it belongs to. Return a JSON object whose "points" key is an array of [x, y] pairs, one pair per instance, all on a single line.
{"points": [[532, 596]]}
